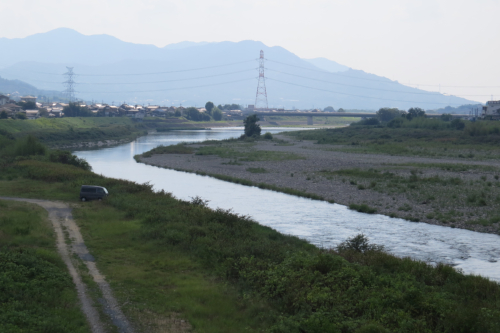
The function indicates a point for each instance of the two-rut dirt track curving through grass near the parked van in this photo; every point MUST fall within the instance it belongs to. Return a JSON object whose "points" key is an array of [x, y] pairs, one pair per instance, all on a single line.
{"points": [[61, 218]]}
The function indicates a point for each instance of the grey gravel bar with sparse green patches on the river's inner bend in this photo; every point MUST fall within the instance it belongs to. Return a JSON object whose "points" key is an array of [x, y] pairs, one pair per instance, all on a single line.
{"points": [[442, 191]]}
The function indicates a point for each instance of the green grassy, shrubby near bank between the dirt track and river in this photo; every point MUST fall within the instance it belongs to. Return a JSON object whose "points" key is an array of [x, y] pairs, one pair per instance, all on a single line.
{"points": [[168, 259]]}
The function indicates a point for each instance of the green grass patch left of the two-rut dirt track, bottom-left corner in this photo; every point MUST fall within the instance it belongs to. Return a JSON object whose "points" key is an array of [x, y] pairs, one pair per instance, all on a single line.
{"points": [[36, 291]]}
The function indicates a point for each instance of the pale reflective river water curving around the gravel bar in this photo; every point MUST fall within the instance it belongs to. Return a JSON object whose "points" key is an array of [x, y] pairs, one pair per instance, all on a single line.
{"points": [[321, 223]]}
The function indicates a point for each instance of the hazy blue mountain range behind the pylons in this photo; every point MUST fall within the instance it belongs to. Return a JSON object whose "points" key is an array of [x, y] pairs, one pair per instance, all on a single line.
{"points": [[191, 73]]}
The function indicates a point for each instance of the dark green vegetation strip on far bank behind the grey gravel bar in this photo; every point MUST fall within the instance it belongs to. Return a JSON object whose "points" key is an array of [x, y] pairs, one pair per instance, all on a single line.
{"points": [[417, 137]]}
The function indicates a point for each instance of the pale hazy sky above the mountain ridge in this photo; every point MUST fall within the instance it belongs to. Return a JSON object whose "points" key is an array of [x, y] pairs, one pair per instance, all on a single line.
{"points": [[447, 42]]}
